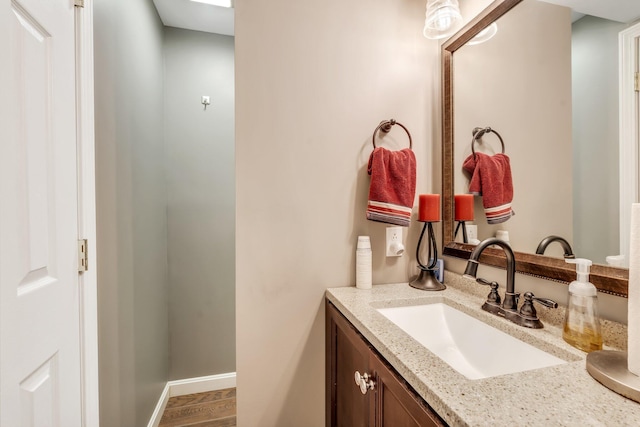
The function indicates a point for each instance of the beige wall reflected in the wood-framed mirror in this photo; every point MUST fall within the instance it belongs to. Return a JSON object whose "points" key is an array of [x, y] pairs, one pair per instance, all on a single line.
{"points": [[519, 83]]}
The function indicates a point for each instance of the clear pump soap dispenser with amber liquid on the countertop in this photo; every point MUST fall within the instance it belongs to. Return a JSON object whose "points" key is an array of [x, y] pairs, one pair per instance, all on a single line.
{"points": [[581, 323]]}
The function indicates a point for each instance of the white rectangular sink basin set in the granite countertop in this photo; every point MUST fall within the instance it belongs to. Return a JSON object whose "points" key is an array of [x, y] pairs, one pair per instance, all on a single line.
{"points": [[467, 344]]}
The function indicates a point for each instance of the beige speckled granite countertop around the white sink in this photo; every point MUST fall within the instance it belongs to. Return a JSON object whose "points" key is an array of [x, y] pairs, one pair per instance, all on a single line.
{"points": [[562, 395]]}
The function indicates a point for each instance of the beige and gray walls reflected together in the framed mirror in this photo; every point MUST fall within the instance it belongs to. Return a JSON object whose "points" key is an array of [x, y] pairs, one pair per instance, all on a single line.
{"points": [[547, 82]]}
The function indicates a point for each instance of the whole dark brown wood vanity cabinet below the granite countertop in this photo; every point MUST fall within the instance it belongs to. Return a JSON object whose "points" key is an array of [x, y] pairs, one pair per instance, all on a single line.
{"points": [[390, 402]]}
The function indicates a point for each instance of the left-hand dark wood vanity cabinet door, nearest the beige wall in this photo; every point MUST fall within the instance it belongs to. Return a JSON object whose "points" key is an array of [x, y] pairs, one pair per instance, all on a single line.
{"points": [[347, 353]]}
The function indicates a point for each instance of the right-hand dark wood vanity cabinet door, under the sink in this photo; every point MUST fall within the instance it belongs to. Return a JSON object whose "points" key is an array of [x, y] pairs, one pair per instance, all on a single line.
{"points": [[397, 405]]}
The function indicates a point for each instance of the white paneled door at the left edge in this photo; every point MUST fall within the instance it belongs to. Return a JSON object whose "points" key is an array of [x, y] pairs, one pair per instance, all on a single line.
{"points": [[40, 361]]}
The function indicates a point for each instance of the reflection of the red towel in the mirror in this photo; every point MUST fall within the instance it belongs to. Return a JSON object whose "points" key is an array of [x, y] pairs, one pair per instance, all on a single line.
{"points": [[491, 179]]}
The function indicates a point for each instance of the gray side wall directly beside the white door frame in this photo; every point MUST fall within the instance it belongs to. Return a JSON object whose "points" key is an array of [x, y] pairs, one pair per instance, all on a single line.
{"points": [[131, 211]]}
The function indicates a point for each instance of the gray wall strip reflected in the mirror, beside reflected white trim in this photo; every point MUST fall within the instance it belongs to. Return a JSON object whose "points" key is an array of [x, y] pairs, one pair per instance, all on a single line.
{"points": [[596, 197]]}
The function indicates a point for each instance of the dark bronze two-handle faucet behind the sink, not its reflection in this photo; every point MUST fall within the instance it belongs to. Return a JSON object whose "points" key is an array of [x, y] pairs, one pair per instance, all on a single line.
{"points": [[527, 315]]}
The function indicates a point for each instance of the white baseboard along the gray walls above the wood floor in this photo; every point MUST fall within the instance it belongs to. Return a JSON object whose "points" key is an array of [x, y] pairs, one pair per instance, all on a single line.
{"points": [[189, 386]]}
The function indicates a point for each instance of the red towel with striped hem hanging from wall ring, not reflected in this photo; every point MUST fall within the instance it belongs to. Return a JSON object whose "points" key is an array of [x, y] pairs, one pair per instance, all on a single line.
{"points": [[393, 186]]}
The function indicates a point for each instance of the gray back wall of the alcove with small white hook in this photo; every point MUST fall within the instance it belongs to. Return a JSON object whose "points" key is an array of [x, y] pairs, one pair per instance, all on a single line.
{"points": [[201, 201]]}
